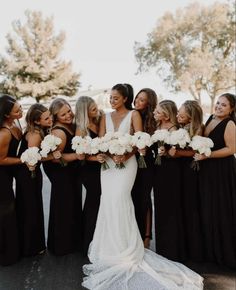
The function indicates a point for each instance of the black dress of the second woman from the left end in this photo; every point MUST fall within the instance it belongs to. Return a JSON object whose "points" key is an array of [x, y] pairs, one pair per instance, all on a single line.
{"points": [[29, 207]]}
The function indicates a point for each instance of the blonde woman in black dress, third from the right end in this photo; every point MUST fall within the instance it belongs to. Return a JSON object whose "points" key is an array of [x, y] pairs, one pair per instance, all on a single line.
{"points": [[167, 192]]}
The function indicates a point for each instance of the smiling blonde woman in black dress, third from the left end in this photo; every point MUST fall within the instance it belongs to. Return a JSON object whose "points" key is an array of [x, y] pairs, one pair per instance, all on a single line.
{"points": [[64, 230]]}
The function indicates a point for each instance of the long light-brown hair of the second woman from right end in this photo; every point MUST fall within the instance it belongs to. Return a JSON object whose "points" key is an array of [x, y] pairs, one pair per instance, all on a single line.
{"points": [[195, 114]]}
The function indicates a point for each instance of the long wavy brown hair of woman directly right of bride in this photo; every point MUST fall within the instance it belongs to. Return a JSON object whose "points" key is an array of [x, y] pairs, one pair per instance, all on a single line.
{"points": [[149, 122]]}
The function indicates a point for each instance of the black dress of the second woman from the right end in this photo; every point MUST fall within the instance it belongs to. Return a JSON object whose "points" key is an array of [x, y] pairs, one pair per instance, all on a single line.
{"points": [[191, 210]]}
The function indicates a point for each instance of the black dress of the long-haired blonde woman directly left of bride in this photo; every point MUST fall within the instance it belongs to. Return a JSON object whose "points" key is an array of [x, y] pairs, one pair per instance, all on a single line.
{"points": [[90, 178]]}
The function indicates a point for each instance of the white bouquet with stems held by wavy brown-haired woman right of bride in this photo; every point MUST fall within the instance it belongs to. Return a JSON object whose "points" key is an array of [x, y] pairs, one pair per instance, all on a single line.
{"points": [[141, 140]]}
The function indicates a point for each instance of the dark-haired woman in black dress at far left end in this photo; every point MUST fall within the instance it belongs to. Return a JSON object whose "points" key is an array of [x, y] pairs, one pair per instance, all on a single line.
{"points": [[10, 135]]}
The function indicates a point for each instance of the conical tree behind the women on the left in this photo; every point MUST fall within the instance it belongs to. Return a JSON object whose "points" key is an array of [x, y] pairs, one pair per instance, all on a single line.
{"points": [[33, 67]]}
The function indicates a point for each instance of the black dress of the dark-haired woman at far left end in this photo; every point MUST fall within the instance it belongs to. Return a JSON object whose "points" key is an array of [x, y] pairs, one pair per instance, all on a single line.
{"points": [[9, 243]]}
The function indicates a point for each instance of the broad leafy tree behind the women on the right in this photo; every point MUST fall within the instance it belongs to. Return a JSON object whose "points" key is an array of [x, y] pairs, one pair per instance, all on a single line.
{"points": [[193, 50]]}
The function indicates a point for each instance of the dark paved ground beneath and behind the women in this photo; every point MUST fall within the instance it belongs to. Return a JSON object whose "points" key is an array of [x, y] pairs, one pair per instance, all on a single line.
{"points": [[48, 272]]}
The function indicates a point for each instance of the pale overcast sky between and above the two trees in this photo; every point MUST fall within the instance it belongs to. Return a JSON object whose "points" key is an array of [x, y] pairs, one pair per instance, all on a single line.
{"points": [[100, 36]]}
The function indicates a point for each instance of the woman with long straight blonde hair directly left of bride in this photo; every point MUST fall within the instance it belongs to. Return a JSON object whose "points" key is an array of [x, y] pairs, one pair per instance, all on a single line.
{"points": [[87, 118]]}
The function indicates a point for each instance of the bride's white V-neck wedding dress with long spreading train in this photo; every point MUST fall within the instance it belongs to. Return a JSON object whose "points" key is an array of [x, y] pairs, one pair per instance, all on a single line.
{"points": [[117, 255]]}
